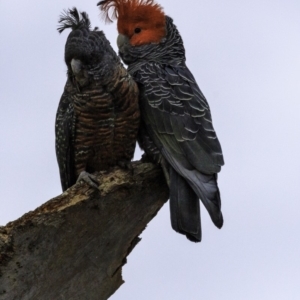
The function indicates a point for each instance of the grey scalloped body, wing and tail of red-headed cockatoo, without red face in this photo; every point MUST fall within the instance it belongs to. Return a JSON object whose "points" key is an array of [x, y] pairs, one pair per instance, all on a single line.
{"points": [[177, 118]]}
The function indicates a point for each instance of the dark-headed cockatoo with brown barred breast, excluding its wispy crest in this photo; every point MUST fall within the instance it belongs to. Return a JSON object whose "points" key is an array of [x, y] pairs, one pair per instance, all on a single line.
{"points": [[98, 116]]}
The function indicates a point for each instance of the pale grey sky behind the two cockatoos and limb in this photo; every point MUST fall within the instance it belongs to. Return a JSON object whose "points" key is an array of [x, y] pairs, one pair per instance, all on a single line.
{"points": [[245, 56]]}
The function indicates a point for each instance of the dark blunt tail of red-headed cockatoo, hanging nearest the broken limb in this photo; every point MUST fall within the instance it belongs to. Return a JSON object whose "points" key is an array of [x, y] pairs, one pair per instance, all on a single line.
{"points": [[184, 207]]}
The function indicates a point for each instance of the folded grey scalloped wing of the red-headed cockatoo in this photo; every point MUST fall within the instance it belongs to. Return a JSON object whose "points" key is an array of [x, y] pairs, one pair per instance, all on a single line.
{"points": [[179, 115]]}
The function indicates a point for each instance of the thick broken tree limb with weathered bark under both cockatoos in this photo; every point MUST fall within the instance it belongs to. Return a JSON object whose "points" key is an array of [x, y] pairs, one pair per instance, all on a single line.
{"points": [[74, 246]]}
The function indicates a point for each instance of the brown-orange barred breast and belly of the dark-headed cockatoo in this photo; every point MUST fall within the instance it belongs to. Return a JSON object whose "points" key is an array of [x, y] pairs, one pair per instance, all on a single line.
{"points": [[106, 126]]}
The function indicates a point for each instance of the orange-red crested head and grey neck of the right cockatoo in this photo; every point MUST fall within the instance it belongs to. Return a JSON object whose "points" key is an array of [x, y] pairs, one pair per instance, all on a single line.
{"points": [[145, 32]]}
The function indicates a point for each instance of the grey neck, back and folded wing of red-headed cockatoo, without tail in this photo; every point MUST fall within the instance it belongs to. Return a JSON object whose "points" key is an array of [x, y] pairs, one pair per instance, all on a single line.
{"points": [[171, 100]]}
